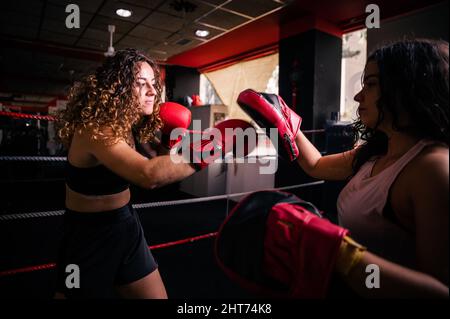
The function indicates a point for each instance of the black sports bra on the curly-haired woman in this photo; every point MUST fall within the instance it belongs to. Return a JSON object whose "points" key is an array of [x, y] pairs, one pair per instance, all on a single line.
{"points": [[96, 180]]}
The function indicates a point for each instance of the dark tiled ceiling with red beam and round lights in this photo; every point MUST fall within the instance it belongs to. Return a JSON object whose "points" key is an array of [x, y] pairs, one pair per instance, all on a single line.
{"points": [[41, 57]]}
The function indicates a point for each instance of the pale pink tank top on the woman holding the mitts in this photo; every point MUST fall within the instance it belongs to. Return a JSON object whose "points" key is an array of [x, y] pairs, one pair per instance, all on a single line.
{"points": [[360, 209]]}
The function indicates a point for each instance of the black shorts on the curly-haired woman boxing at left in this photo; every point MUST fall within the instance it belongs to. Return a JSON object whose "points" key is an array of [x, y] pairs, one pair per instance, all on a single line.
{"points": [[109, 250]]}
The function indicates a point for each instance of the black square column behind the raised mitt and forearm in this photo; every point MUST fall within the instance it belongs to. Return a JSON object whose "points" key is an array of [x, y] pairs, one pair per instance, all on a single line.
{"points": [[310, 66]]}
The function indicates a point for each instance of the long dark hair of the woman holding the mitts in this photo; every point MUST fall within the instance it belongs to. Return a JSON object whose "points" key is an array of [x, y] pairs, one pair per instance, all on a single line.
{"points": [[413, 77]]}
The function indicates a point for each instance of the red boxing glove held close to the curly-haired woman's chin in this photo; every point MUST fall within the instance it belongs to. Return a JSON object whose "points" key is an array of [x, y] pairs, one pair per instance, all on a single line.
{"points": [[173, 115]]}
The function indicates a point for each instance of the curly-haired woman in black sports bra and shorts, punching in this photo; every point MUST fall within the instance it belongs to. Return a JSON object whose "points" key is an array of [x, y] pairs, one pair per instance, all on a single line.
{"points": [[102, 232]]}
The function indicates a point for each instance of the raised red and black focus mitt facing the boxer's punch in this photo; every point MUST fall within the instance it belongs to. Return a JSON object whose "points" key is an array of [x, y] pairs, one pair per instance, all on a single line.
{"points": [[270, 111]]}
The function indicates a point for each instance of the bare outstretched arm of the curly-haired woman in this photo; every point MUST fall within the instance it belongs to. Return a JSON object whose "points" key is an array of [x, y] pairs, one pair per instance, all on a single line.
{"points": [[136, 168]]}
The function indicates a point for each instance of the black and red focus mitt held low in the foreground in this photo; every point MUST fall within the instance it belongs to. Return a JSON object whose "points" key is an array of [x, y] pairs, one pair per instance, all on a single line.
{"points": [[278, 245]]}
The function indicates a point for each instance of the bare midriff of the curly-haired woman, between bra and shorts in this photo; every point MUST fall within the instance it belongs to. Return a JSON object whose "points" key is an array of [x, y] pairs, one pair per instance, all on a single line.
{"points": [[92, 204]]}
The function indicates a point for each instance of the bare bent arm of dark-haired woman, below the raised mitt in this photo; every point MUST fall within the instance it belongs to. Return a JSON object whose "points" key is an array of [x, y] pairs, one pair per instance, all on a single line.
{"points": [[329, 167]]}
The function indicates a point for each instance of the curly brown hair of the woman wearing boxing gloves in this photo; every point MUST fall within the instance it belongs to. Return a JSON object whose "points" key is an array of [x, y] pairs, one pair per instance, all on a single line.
{"points": [[105, 102]]}
